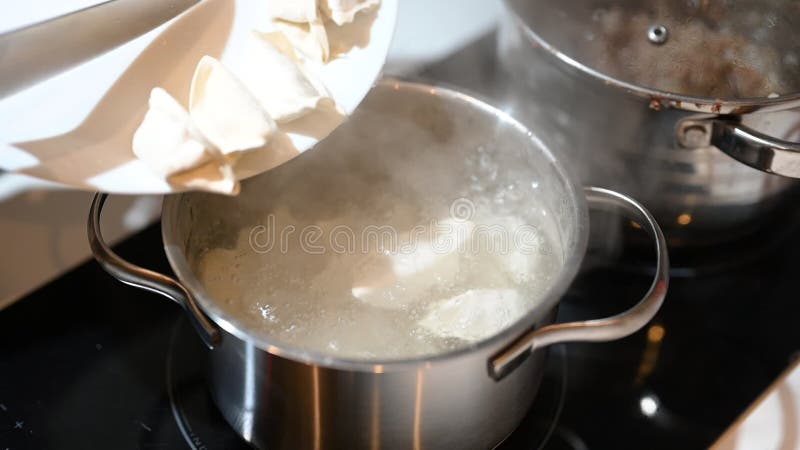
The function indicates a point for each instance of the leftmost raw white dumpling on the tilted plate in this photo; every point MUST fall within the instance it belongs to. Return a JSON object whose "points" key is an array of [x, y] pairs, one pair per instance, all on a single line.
{"points": [[167, 141]]}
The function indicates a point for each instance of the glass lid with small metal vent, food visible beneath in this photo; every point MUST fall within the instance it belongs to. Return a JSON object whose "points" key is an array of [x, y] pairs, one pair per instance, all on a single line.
{"points": [[727, 50]]}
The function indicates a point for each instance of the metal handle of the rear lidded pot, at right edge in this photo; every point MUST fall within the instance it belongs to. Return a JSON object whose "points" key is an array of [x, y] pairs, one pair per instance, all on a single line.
{"points": [[756, 149]]}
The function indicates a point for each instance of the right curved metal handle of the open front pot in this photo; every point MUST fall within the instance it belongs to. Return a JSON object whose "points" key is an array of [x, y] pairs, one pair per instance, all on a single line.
{"points": [[607, 329]]}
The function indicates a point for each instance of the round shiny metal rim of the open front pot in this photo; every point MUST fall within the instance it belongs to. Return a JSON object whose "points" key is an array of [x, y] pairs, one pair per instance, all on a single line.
{"points": [[571, 263]]}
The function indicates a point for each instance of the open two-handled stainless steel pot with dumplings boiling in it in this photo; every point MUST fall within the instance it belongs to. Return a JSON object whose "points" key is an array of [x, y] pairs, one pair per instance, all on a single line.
{"points": [[281, 397]]}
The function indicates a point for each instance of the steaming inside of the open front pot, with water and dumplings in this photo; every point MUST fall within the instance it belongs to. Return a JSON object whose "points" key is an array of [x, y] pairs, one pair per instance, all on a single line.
{"points": [[346, 251]]}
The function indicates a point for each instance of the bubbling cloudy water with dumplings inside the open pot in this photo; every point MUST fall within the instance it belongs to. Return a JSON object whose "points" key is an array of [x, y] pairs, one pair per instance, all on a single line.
{"points": [[393, 257]]}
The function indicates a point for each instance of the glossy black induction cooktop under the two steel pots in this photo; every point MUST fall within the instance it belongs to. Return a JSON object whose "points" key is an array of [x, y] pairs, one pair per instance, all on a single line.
{"points": [[89, 363]]}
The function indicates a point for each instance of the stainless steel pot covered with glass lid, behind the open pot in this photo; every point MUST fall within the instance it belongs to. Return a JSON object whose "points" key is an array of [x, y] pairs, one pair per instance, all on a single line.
{"points": [[667, 149]]}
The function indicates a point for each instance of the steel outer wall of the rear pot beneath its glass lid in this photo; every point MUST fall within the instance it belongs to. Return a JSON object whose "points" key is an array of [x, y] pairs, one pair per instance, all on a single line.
{"points": [[632, 142]]}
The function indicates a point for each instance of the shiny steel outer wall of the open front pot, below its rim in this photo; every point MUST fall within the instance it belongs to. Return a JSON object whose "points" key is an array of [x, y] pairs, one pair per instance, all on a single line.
{"points": [[279, 403]]}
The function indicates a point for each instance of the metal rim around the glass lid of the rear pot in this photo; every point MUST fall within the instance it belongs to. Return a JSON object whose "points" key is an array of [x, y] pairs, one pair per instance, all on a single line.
{"points": [[664, 98]]}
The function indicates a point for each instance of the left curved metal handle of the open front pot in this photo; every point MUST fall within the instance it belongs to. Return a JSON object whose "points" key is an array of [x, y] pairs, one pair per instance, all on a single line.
{"points": [[146, 279]]}
